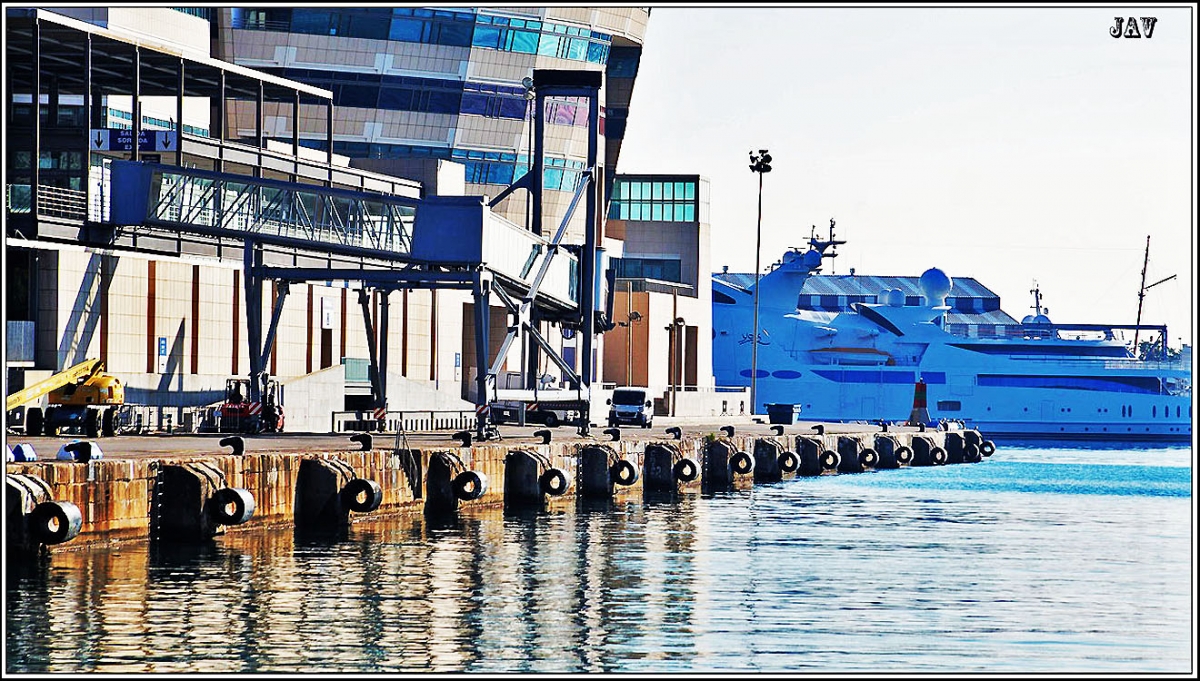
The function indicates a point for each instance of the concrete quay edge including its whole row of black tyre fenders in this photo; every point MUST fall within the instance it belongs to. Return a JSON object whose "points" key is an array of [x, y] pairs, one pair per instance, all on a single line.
{"points": [[195, 497]]}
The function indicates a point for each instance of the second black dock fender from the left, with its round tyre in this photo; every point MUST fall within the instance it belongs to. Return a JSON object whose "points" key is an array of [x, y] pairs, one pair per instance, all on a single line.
{"points": [[191, 503]]}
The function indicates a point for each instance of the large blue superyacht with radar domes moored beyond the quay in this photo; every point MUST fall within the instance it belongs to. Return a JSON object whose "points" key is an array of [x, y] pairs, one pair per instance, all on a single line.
{"points": [[851, 349]]}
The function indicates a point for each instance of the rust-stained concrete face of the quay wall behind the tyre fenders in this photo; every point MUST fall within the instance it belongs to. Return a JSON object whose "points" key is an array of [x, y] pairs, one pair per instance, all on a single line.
{"points": [[117, 497]]}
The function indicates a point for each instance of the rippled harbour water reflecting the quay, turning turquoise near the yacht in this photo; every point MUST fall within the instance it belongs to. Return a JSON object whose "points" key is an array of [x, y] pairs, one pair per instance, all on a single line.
{"points": [[1036, 561]]}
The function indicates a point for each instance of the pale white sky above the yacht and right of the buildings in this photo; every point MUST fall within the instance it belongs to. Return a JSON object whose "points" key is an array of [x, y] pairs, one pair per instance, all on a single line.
{"points": [[1019, 147]]}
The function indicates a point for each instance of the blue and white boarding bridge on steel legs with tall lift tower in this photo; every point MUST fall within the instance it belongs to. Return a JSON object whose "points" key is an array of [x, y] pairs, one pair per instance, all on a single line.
{"points": [[397, 243]]}
